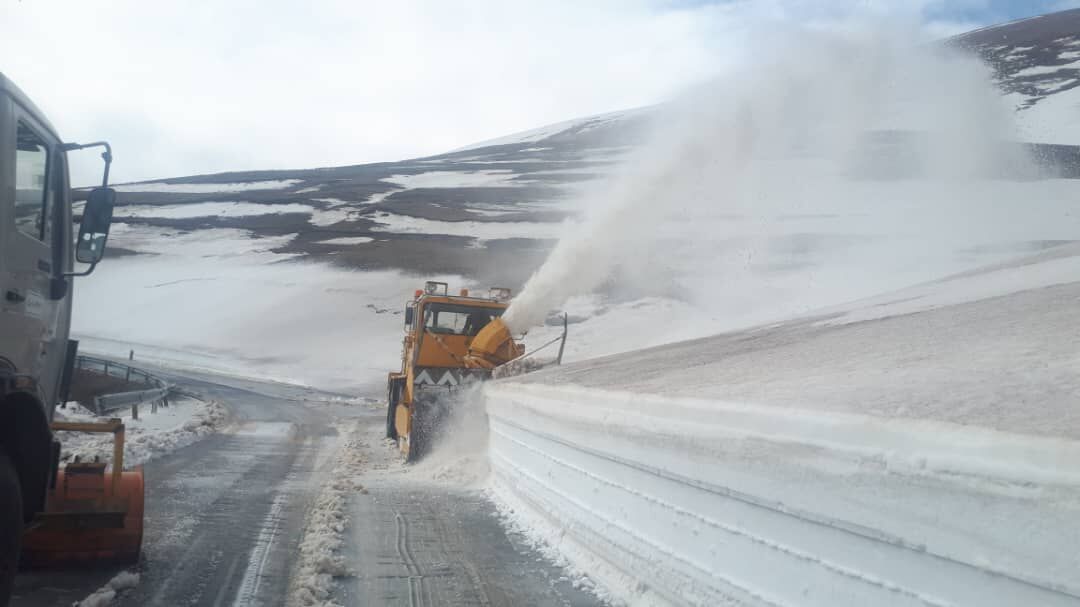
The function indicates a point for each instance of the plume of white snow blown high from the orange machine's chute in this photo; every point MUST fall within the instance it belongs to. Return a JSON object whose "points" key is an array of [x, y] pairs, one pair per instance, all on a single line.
{"points": [[801, 128]]}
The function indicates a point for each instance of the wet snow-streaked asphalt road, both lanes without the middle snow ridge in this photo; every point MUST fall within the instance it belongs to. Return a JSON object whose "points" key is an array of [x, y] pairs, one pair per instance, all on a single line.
{"points": [[225, 518]]}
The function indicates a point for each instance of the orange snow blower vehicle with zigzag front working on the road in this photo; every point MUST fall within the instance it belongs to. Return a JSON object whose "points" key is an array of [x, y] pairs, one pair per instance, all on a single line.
{"points": [[452, 342]]}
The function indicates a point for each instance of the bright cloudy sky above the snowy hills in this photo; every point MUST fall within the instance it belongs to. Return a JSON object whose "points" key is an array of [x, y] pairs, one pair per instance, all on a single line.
{"points": [[190, 88]]}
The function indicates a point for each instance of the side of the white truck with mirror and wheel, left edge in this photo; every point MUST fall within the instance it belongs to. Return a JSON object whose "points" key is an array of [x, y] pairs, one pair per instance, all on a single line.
{"points": [[38, 250]]}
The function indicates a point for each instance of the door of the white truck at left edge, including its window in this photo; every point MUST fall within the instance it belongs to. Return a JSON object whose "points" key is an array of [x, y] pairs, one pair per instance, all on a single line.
{"points": [[29, 325]]}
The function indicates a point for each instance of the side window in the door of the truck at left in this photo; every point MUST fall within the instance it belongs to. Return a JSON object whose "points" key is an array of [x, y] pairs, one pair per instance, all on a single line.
{"points": [[32, 170]]}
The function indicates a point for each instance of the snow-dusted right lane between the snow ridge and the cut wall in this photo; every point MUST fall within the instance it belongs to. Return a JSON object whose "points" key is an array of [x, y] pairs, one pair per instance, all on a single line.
{"points": [[425, 536]]}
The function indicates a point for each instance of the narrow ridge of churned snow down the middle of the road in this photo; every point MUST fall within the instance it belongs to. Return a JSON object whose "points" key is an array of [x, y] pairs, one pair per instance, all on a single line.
{"points": [[319, 561]]}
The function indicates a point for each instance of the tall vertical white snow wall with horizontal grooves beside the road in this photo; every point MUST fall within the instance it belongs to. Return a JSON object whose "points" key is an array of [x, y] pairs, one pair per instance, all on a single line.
{"points": [[668, 502]]}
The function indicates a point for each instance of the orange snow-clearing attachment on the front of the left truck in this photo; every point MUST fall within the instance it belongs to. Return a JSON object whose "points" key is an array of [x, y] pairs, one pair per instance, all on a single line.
{"points": [[93, 515]]}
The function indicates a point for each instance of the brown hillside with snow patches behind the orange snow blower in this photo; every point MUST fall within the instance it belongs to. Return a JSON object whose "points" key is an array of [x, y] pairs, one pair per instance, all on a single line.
{"points": [[302, 275]]}
